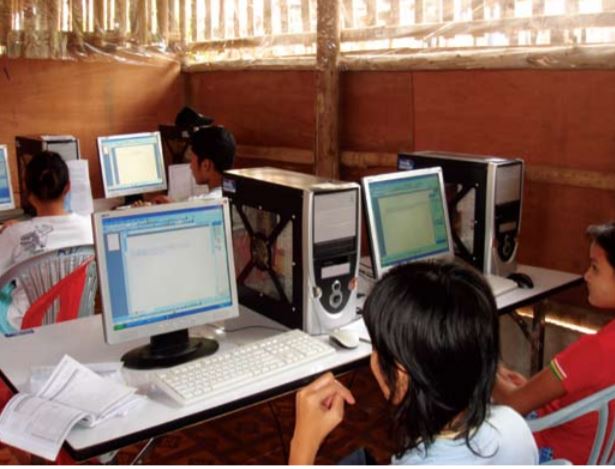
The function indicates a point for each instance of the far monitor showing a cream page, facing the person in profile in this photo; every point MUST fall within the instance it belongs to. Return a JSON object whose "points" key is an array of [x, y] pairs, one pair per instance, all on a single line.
{"points": [[132, 164]]}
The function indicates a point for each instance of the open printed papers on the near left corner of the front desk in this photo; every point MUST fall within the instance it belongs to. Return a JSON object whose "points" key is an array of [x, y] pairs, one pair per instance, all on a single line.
{"points": [[39, 423]]}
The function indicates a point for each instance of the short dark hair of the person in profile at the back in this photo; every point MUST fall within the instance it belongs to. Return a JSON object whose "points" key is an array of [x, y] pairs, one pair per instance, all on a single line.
{"points": [[214, 143]]}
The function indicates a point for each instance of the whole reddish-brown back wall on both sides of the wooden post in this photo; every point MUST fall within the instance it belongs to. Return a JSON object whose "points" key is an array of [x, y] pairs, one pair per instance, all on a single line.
{"points": [[557, 119]]}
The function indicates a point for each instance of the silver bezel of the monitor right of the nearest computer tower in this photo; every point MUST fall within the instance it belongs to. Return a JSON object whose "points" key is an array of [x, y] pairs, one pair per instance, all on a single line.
{"points": [[375, 253]]}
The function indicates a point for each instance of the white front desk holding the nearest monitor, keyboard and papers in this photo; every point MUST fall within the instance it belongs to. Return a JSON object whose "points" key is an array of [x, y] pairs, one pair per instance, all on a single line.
{"points": [[83, 340]]}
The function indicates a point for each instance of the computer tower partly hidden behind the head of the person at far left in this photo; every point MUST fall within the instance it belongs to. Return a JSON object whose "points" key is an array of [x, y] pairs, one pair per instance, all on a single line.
{"points": [[66, 146]]}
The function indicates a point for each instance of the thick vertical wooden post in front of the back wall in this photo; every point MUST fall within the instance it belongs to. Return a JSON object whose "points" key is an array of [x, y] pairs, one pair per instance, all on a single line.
{"points": [[327, 89]]}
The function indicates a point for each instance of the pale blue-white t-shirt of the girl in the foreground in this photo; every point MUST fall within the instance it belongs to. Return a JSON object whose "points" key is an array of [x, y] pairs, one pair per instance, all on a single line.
{"points": [[503, 439]]}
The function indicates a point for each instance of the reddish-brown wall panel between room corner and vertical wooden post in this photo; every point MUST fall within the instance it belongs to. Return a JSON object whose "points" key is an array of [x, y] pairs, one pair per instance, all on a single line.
{"points": [[269, 108]]}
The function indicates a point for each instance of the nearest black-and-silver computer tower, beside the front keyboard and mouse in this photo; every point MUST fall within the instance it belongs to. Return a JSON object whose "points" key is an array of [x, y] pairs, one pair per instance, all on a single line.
{"points": [[296, 245]]}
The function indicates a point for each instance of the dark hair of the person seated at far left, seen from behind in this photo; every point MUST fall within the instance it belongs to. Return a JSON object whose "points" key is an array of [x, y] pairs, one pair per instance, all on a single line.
{"points": [[46, 175]]}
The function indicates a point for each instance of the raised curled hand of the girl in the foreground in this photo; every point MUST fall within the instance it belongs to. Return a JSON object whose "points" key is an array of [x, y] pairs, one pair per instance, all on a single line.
{"points": [[319, 409]]}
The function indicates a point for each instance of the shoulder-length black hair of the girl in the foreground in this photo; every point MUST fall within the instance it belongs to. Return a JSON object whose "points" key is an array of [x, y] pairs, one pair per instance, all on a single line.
{"points": [[439, 322]]}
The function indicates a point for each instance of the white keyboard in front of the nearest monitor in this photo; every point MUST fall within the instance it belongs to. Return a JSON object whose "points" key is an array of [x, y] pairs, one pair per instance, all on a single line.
{"points": [[223, 371]]}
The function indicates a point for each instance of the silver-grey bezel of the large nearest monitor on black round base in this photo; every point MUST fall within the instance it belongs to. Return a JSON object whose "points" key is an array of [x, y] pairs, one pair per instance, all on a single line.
{"points": [[146, 331]]}
